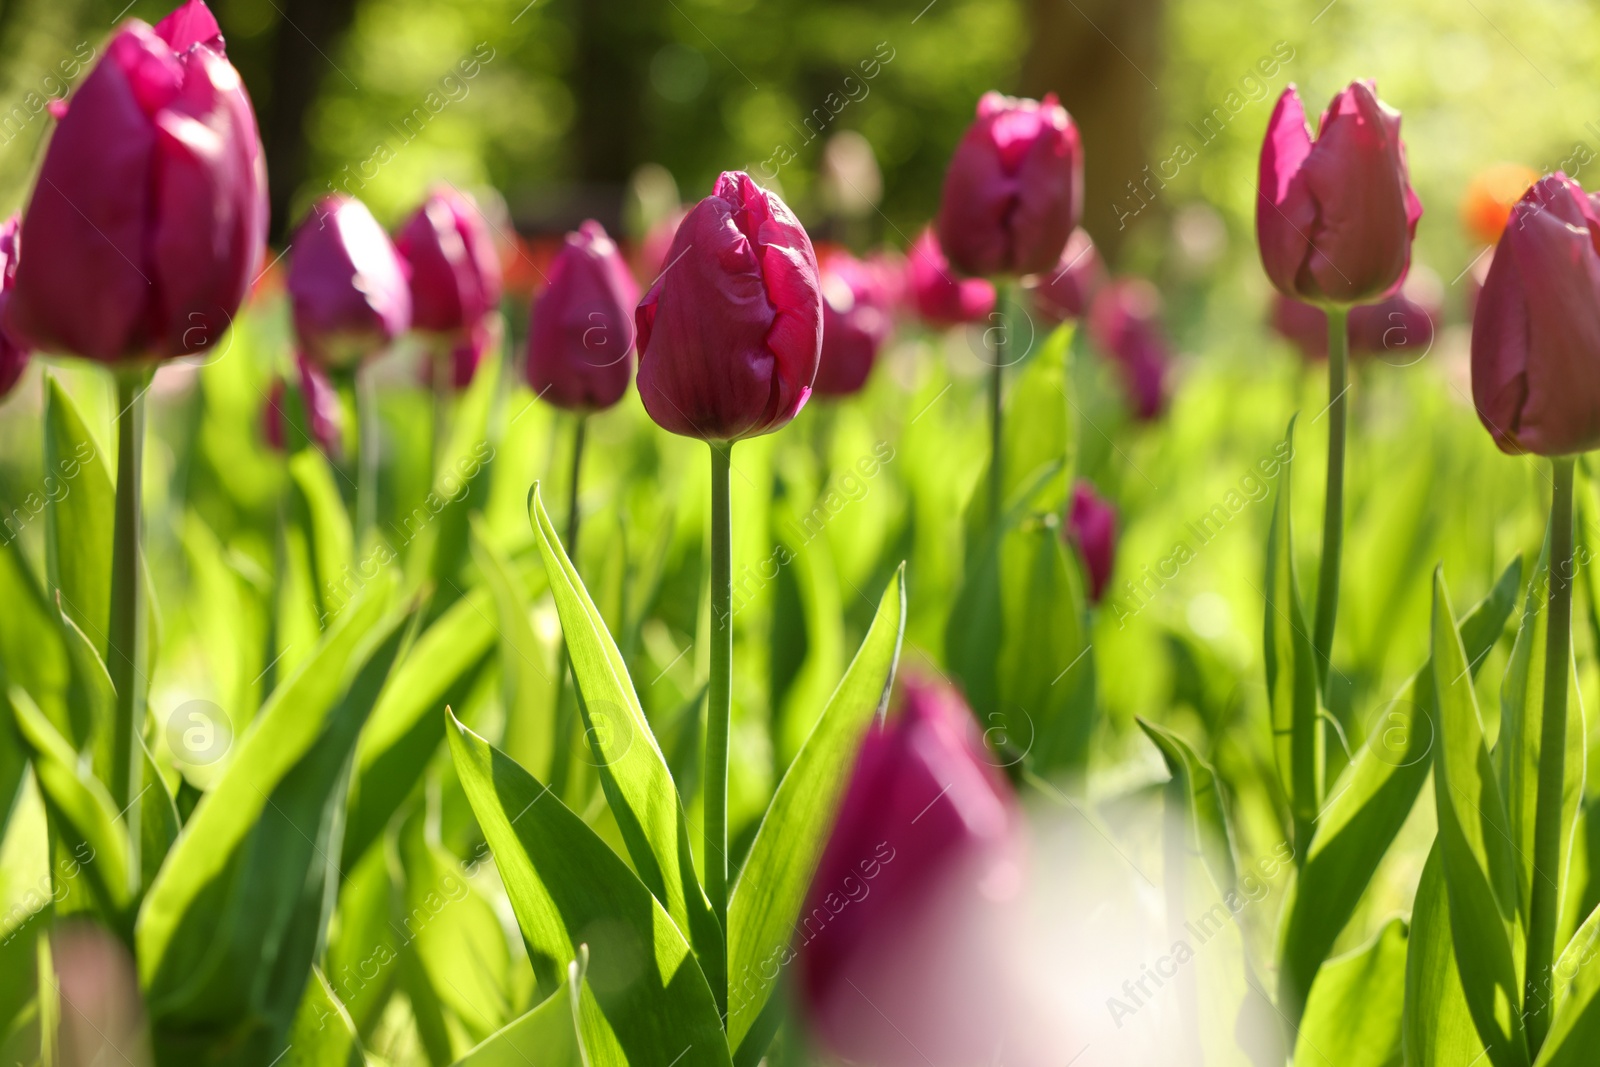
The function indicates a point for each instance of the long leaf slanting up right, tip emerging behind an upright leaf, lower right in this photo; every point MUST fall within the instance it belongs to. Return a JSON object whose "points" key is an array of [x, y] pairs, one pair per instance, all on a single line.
{"points": [[1370, 804]]}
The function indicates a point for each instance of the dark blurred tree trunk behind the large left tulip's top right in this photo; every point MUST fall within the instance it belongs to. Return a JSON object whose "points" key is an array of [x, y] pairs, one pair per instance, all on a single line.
{"points": [[302, 60]]}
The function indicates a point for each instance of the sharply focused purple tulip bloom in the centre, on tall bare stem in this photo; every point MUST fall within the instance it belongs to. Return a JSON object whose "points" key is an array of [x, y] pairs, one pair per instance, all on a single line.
{"points": [[730, 334]]}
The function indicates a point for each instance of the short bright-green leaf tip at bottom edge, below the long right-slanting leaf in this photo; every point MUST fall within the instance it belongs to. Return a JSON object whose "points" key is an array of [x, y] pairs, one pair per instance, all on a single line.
{"points": [[1353, 1017]]}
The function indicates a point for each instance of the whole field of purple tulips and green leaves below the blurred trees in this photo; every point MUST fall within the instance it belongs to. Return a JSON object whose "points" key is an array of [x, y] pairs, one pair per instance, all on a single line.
{"points": [[750, 629]]}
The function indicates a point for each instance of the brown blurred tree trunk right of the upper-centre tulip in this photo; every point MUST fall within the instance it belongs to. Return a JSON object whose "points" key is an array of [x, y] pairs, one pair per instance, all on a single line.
{"points": [[1103, 60]]}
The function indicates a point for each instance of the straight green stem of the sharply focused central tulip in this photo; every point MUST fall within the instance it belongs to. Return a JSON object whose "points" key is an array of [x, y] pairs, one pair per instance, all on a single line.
{"points": [[719, 705]]}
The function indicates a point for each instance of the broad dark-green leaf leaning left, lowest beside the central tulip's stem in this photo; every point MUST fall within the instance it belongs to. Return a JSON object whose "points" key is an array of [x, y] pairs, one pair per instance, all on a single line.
{"points": [[647, 1002]]}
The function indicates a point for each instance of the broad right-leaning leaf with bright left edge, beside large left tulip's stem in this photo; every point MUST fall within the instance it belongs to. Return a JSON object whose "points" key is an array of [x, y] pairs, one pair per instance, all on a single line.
{"points": [[228, 932]]}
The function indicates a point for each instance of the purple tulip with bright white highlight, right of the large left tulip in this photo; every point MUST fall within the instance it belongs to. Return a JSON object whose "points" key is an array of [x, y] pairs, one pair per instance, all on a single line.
{"points": [[348, 286]]}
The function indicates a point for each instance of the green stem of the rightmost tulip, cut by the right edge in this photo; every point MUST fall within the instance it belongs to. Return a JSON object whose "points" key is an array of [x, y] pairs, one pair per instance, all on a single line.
{"points": [[1545, 905]]}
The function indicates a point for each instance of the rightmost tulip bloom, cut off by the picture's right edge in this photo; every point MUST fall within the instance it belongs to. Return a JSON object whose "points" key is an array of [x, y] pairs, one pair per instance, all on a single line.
{"points": [[1537, 327]]}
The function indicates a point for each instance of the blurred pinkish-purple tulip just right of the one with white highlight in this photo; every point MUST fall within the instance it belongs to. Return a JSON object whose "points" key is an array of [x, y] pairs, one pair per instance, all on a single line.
{"points": [[455, 266]]}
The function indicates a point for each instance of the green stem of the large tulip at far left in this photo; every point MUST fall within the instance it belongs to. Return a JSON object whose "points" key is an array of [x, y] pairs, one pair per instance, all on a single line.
{"points": [[127, 639]]}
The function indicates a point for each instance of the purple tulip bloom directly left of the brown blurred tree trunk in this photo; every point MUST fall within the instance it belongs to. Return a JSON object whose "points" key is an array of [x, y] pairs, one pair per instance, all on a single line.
{"points": [[1015, 188]]}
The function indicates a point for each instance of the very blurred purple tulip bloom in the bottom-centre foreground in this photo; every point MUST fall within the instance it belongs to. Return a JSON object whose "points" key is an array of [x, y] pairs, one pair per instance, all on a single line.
{"points": [[900, 953]]}
